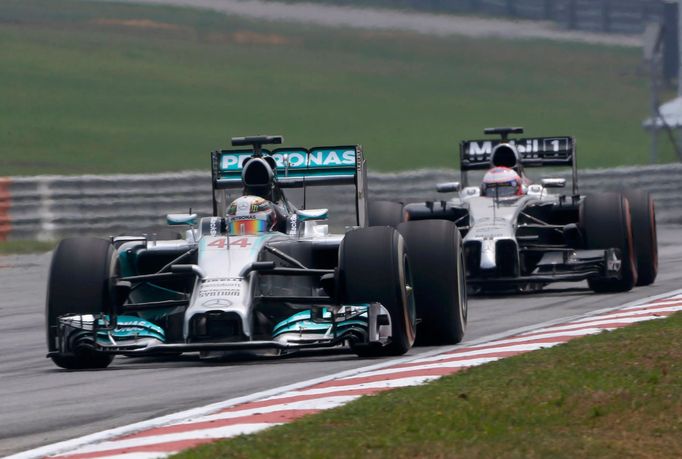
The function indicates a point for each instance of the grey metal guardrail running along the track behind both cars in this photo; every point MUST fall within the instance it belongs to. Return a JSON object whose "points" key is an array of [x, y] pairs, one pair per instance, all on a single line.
{"points": [[51, 207]]}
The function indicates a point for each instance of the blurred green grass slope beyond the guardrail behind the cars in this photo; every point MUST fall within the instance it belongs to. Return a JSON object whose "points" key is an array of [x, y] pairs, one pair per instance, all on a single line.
{"points": [[92, 87]]}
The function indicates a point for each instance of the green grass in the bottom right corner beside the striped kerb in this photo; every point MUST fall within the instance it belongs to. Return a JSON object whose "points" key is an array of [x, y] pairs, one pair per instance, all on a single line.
{"points": [[610, 395]]}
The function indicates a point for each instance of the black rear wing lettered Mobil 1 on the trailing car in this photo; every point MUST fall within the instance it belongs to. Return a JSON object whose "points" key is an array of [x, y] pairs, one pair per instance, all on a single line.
{"points": [[531, 152]]}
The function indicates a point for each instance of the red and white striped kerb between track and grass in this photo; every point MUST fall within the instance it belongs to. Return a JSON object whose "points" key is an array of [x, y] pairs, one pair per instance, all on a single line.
{"points": [[253, 416]]}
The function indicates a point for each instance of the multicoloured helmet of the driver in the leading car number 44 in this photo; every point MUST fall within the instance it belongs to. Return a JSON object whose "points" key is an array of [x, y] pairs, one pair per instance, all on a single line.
{"points": [[251, 215]]}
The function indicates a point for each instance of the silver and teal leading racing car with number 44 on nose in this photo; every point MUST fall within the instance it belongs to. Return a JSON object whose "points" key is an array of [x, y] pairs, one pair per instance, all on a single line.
{"points": [[259, 274]]}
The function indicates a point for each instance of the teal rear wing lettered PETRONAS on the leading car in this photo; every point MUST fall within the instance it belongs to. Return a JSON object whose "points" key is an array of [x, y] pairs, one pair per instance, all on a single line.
{"points": [[298, 168]]}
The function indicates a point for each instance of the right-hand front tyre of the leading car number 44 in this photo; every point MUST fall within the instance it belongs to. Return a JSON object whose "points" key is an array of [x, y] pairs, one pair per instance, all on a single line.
{"points": [[374, 267]]}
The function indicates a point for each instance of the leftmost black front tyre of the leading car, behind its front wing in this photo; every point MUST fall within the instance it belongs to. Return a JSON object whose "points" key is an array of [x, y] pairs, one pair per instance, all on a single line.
{"points": [[80, 283]]}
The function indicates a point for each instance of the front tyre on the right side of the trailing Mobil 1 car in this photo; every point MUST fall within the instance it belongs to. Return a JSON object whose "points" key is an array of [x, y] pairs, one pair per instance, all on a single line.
{"points": [[606, 223]]}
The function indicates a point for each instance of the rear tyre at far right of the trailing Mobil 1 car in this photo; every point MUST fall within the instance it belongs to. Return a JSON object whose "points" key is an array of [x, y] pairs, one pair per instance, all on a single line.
{"points": [[644, 236]]}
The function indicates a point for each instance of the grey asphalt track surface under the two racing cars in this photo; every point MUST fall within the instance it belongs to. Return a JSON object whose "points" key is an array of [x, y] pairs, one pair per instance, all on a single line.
{"points": [[41, 404]]}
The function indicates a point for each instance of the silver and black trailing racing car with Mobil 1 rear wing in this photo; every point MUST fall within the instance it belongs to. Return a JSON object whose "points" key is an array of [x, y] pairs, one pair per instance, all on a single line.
{"points": [[520, 235]]}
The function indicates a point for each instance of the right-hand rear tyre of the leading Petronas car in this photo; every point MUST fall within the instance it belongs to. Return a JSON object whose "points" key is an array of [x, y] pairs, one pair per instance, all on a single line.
{"points": [[436, 257]]}
